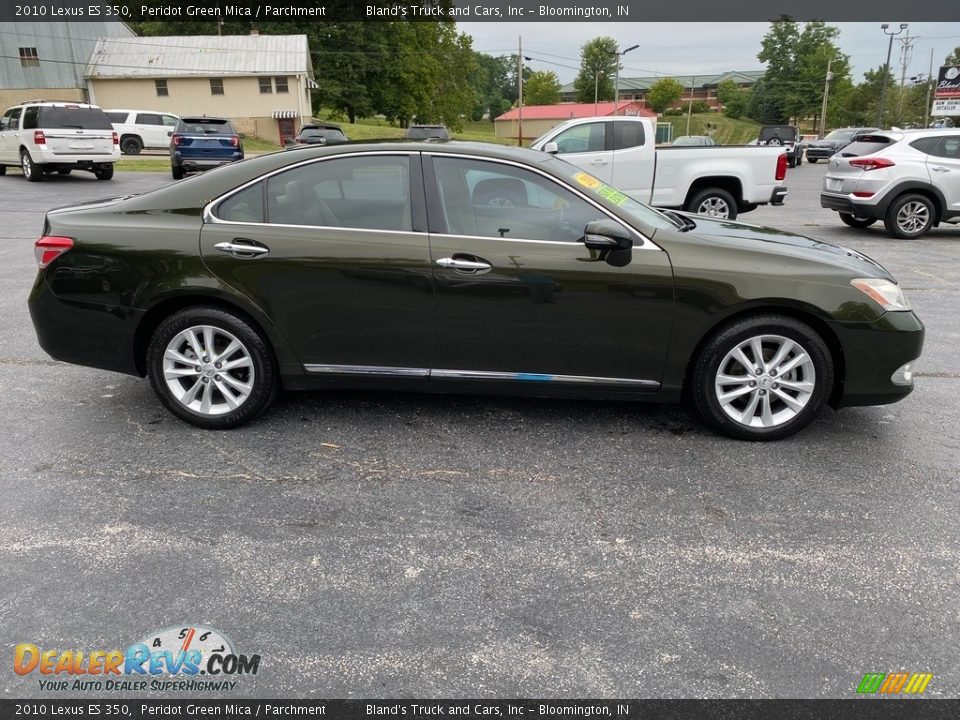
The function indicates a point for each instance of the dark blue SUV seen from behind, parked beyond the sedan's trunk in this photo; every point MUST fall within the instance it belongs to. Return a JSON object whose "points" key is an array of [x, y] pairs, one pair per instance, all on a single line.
{"points": [[201, 143]]}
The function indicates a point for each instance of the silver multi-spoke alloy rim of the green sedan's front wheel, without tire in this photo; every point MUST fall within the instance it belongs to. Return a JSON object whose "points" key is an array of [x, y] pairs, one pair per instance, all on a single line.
{"points": [[765, 381]]}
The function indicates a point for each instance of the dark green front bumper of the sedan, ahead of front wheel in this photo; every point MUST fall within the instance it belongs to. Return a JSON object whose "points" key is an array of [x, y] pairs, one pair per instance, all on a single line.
{"points": [[872, 353]]}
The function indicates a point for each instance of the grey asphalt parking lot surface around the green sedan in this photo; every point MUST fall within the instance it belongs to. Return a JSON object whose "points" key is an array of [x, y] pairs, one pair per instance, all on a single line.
{"points": [[389, 545]]}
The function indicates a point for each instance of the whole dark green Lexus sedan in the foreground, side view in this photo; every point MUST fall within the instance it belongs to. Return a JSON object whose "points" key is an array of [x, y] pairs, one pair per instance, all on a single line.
{"points": [[462, 268]]}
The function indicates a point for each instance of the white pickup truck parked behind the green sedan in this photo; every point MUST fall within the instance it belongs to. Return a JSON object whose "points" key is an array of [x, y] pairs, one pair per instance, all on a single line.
{"points": [[718, 181]]}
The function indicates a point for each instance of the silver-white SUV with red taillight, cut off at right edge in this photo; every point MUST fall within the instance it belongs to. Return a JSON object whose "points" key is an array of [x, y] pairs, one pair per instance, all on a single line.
{"points": [[908, 179]]}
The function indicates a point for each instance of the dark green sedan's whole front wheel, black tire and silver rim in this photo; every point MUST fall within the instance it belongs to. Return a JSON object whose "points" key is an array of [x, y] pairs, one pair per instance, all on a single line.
{"points": [[783, 420]]}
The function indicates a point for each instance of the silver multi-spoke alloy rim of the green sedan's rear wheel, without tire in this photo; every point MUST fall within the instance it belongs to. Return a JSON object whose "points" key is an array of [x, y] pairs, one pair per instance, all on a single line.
{"points": [[208, 370]]}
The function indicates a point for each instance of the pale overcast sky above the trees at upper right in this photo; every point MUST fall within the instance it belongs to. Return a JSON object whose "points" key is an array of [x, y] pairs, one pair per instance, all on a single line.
{"points": [[689, 48]]}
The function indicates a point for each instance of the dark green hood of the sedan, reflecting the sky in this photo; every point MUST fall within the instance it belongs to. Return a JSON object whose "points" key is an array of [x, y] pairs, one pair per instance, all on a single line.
{"points": [[770, 241]]}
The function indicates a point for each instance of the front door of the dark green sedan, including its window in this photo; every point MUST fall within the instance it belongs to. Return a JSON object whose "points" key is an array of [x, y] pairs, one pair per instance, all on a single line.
{"points": [[521, 299]]}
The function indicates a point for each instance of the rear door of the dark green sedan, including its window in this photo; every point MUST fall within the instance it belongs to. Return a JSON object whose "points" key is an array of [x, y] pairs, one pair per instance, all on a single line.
{"points": [[335, 252]]}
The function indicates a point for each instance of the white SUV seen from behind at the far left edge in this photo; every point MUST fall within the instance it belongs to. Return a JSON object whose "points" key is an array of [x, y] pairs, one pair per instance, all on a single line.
{"points": [[45, 137]]}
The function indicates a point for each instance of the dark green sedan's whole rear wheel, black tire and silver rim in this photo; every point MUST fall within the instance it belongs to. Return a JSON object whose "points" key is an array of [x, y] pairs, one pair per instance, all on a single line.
{"points": [[261, 375]]}
